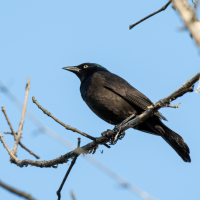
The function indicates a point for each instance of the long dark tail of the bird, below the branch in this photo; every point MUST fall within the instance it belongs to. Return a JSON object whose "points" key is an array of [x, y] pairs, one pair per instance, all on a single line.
{"points": [[172, 138]]}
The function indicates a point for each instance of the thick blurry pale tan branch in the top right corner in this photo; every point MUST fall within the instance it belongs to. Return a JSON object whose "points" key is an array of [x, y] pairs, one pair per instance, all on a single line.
{"points": [[189, 17]]}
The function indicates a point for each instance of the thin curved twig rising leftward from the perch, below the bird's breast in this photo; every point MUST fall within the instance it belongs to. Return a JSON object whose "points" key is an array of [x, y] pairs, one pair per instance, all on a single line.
{"points": [[61, 123]]}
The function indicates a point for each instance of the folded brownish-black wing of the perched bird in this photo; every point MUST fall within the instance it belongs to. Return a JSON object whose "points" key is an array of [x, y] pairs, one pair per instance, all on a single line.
{"points": [[122, 88]]}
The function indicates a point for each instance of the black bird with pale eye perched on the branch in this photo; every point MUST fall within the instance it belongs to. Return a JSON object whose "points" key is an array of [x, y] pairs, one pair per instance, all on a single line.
{"points": [[113, 99]]}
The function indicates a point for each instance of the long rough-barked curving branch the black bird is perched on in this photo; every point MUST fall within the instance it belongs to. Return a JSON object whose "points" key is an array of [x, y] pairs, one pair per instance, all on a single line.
{"points": [[106, 136]]}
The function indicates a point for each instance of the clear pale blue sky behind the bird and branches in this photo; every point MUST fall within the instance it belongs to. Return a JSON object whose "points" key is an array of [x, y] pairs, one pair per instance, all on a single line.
{"points": [[38, 38]]}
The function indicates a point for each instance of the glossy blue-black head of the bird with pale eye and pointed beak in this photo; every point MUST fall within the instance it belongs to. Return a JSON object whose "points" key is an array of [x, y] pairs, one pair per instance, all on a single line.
{"points": [[84, 70]]}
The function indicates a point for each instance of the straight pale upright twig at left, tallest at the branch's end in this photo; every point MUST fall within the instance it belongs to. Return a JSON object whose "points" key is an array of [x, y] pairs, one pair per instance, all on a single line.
{"points": [[22, 118]]}
